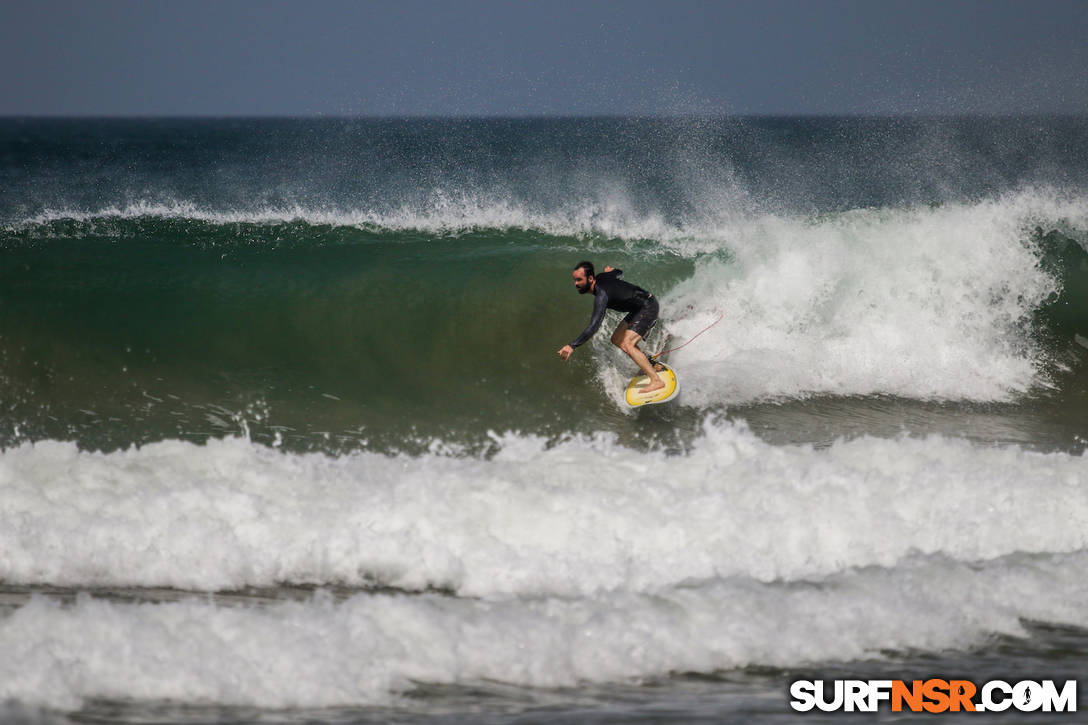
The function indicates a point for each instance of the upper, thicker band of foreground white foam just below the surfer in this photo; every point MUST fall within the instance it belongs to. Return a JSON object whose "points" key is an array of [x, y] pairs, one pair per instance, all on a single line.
{"points": [[583, 517]]}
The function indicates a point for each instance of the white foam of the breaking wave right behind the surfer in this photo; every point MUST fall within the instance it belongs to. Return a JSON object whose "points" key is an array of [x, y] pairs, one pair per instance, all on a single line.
{"points": [[919, 303]]}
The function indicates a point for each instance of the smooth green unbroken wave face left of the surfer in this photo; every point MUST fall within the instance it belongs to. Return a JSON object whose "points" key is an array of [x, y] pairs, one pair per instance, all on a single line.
{"points": [[328, 337]]}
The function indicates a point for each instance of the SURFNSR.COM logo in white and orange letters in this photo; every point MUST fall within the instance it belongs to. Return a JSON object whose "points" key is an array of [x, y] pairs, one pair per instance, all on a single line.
{"points": [[933, 696]]}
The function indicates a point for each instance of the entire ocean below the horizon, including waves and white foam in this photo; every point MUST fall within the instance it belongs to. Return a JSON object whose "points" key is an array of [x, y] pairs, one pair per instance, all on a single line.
{"points": [[285, 436]]}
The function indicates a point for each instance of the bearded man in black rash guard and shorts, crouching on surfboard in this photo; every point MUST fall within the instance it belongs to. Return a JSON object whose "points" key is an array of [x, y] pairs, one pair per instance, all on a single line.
{"points": [[610, 292]]}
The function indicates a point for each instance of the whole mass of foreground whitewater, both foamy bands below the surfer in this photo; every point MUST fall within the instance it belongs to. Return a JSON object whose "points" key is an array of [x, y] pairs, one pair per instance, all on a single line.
{"points": [[521, 568]]}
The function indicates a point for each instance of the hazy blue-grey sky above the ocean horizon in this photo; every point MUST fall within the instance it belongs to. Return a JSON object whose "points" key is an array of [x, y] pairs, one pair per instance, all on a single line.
{"points": [[518, 58]]}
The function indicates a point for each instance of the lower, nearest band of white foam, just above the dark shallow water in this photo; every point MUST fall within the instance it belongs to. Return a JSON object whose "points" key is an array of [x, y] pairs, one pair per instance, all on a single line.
{"points": [[370, 647]]}
